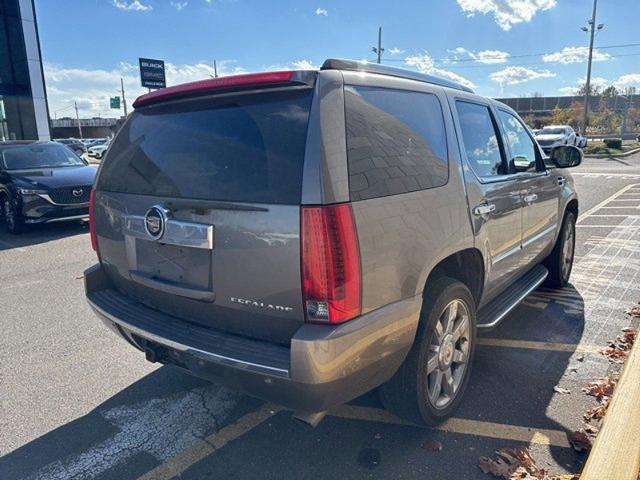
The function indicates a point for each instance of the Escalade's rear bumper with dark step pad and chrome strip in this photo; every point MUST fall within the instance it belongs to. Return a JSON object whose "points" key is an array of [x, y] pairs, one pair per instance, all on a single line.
{"points": [[324, 366]]}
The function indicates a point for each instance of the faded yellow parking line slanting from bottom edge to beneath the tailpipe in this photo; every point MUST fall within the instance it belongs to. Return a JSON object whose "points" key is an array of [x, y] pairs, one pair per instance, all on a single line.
{"points": [[203, 448]]}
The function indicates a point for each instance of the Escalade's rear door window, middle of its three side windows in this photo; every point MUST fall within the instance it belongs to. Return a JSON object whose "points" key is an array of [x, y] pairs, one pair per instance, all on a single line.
{"points": [[480, 138]]}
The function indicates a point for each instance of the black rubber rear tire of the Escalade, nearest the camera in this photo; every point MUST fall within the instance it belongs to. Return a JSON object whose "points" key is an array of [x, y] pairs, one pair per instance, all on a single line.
{"points": [[410, 392]]}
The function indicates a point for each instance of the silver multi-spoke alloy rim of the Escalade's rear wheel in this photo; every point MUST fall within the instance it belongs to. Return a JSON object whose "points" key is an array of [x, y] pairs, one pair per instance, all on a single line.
{"points": [[448, 355]]}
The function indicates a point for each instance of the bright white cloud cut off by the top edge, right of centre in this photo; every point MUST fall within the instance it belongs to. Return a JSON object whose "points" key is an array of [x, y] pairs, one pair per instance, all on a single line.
{"points": [[507, 12]]}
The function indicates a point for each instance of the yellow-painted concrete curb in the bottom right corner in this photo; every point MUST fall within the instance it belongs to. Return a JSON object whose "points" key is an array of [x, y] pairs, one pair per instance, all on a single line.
{"points": [[616, 451]]}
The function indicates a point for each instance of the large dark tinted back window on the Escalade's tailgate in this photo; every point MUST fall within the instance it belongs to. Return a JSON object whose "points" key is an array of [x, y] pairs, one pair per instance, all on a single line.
{"points": [[246, 148]]}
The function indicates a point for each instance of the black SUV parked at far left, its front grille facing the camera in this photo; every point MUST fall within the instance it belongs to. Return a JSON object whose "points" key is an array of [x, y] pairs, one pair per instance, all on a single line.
{"points": [[42, 182]]}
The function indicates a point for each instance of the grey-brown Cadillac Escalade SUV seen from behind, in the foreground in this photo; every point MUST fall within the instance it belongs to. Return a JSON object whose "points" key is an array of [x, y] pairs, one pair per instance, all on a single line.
{"points": [[308, 236]]}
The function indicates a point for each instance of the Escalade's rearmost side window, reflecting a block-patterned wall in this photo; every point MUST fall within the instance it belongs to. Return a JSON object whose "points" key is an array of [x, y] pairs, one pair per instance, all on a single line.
{"points": [[396, 142]]}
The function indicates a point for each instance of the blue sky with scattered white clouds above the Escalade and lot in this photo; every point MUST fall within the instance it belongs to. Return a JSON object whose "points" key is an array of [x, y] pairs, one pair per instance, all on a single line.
{"points": [[500, 47]]}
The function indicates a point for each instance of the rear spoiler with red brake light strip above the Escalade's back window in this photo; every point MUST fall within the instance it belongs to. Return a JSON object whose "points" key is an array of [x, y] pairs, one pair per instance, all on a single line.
{"points": [[223, 83]]}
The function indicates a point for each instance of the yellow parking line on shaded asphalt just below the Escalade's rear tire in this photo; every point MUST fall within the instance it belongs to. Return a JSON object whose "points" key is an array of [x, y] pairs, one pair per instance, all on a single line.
{"points": [[464, 426]]}
